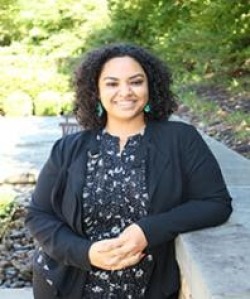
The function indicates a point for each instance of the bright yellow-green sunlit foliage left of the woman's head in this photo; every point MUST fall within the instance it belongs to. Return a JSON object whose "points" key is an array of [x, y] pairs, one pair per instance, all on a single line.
{"points": [[49, 36]]}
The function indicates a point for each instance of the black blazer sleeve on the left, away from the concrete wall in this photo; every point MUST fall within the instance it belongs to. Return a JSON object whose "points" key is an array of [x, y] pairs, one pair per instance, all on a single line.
{"points": [[52, 233]]}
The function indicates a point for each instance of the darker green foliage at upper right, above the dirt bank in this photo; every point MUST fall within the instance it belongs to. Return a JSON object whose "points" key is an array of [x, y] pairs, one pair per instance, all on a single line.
{"points": [[202, 36]]}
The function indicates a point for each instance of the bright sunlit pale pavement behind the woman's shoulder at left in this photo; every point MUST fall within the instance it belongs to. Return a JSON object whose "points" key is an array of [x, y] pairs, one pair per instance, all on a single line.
{"points": [[25, 143]]}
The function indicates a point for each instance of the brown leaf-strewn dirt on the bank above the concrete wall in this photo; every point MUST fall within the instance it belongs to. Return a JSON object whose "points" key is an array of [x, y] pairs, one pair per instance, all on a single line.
{"points": [[218, 127]]}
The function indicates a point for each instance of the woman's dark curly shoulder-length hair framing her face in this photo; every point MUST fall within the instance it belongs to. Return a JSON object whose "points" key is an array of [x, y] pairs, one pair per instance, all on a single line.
{"points": [[161, 98]]}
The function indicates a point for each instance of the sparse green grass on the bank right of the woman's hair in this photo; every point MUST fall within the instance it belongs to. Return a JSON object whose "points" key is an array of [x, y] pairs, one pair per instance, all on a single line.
{"points": [[208, 111]]}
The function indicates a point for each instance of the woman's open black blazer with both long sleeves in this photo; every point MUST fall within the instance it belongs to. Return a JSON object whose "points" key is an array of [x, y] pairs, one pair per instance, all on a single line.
{"points": [[186, 189]]}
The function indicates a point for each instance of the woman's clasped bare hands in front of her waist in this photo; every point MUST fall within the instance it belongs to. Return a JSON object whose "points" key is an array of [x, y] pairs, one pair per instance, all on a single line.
{"points": [[121, 252]]}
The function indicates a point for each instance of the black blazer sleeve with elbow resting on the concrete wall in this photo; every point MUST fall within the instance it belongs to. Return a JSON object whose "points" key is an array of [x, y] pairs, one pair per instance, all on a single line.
{"points": [[206, 201]]}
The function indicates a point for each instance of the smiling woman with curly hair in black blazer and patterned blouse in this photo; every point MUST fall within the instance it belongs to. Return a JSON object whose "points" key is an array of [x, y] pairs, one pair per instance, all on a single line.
{"points": [[111, 199]]}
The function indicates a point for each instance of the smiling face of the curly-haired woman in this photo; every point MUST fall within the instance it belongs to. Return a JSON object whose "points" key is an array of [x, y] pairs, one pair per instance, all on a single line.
{"points": [[123, 89]]}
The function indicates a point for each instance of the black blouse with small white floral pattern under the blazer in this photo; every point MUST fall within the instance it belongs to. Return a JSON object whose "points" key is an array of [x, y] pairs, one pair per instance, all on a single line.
{"points": [[114, 196]]}
